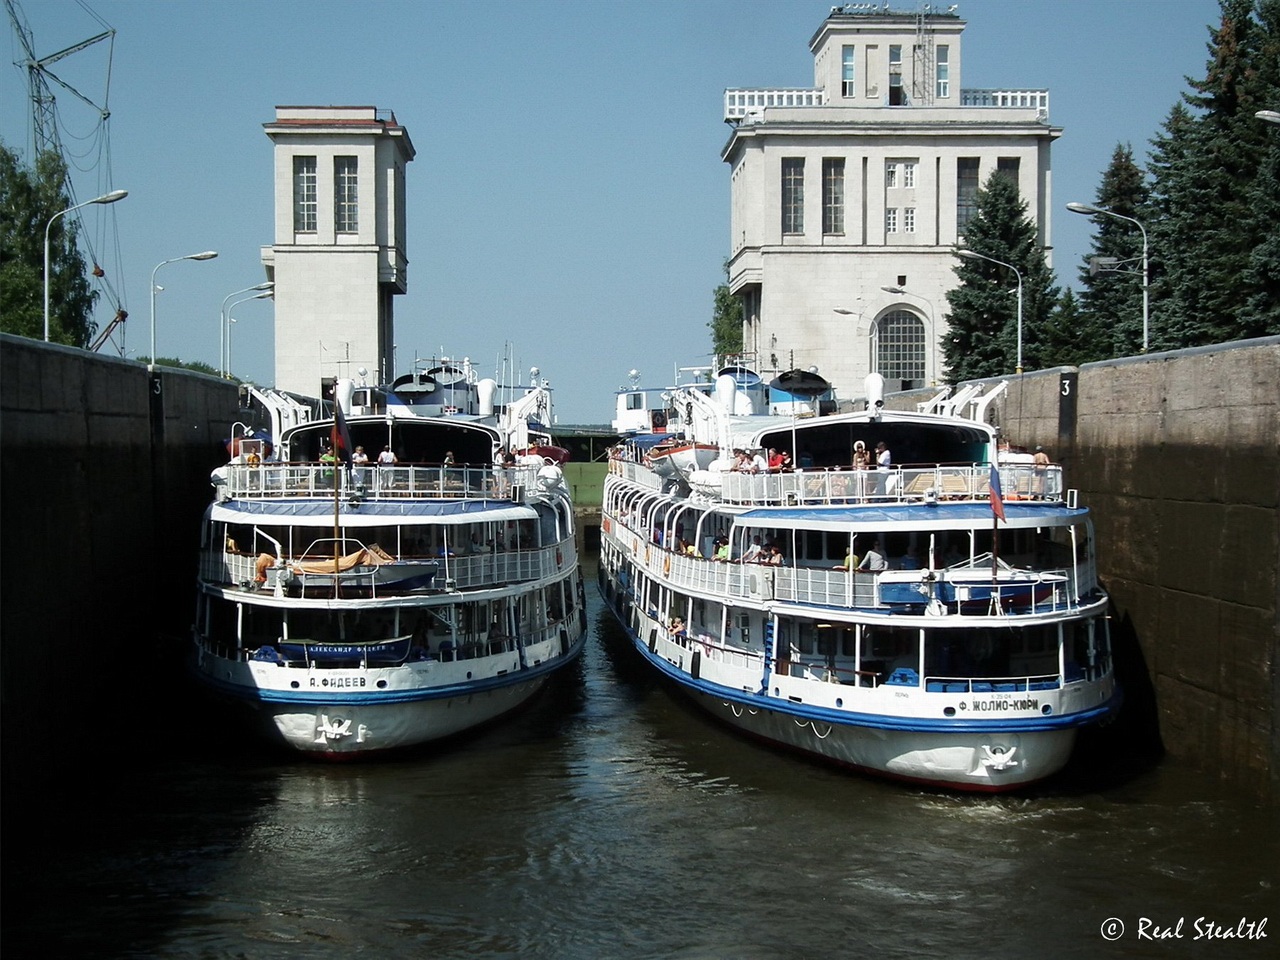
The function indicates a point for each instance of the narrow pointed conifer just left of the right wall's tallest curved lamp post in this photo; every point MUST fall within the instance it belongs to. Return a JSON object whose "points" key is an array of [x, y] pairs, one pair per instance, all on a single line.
{"points": [[1112, 300]]}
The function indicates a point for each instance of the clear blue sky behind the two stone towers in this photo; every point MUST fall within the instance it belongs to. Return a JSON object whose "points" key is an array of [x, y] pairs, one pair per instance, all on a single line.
{"points": [[568, 198]]}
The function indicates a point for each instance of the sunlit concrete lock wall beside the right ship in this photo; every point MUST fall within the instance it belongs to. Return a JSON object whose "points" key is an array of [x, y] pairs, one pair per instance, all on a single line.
{"points": [[1178, 456]]}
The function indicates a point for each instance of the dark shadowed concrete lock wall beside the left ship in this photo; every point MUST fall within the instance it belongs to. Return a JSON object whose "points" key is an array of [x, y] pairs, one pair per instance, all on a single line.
{"points": [[104, 478]]}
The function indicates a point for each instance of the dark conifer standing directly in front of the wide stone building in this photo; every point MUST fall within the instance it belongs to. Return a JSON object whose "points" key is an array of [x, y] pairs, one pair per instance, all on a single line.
{"points": [[982, 332]]}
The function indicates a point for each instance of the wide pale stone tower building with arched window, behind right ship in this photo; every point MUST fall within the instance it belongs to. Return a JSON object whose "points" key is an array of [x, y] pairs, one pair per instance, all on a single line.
{"points": [[848, 199]]}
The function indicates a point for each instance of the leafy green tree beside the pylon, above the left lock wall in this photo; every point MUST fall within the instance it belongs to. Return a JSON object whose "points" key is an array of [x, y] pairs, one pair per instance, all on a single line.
{"points": [[29, 199]]}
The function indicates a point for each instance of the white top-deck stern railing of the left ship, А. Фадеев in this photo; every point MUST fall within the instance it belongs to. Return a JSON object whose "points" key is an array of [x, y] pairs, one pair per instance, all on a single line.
{"points": [[413, 481]]}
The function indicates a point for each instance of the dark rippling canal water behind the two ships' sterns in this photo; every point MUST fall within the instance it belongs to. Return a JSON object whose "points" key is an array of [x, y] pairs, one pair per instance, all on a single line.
{"points": [[611, 820]]}
